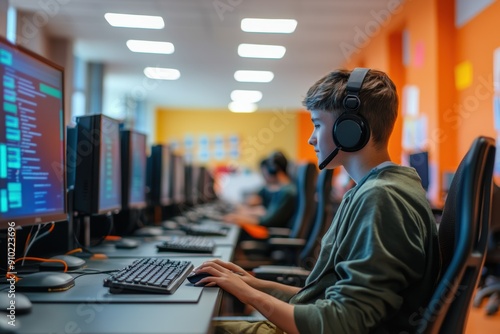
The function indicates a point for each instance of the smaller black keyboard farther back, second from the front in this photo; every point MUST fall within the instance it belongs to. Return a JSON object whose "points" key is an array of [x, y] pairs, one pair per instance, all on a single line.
{"points": [[187, 244]]}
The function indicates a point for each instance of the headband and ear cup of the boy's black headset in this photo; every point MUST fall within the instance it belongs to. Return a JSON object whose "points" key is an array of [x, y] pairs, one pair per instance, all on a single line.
{"points": [[351, 131]]}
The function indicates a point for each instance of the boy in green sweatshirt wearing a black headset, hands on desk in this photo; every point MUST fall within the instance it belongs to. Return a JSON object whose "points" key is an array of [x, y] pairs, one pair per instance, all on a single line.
{"points": [[379, 260]]}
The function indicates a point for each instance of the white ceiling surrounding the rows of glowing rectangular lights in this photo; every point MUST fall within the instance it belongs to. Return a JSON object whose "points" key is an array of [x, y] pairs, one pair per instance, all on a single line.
{"points": [[206, 41]]}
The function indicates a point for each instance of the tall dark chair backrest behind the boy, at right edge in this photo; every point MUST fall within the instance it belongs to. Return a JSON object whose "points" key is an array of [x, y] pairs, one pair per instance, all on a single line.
{"points": [[463, 236]]}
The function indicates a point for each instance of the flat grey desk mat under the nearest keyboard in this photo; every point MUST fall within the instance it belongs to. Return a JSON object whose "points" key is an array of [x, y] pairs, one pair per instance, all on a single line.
{"points": [[90, 289]]}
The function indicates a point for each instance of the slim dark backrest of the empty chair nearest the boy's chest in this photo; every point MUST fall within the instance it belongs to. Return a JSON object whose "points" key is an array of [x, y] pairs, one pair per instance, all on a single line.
{"points": [[323, 191]]}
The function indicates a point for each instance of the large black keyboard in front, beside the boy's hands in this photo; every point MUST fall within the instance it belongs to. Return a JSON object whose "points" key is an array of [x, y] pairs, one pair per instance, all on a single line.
{"points": [[156, 275]]}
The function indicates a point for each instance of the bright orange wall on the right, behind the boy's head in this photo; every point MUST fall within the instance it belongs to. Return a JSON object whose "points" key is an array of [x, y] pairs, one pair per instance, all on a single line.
{"points": [[455, 116]]}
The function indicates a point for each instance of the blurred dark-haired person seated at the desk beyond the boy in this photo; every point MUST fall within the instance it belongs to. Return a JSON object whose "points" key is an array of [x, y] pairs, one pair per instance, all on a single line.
{"points": [[273, 205]]}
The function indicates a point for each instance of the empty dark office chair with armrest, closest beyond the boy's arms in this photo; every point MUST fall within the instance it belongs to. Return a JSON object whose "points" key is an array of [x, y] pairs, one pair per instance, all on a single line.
{"points": [[296, 275]]}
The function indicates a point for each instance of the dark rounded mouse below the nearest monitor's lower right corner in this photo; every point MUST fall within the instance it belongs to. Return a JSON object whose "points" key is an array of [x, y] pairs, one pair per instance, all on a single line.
{"points": [[45, 281]]}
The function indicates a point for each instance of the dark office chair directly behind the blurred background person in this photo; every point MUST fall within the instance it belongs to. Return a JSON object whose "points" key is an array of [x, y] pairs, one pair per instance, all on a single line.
{"points": [[260, 252]]}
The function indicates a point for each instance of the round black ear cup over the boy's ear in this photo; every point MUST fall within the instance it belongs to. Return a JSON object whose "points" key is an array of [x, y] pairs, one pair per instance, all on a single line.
{"points": [[350, 132]]}
